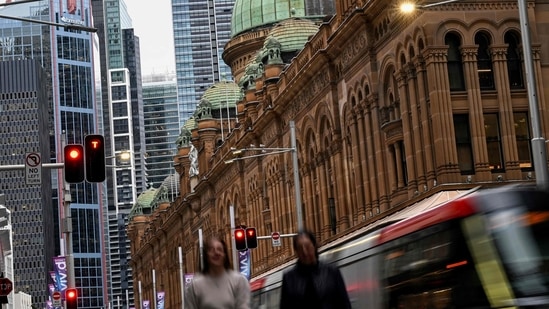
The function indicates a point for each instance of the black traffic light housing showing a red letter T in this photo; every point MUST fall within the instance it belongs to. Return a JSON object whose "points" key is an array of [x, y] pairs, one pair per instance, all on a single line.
{"points": [[94, 145]]}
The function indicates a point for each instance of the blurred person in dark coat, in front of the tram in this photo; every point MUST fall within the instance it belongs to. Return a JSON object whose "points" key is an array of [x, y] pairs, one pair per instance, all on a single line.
{"points": [[311, 284]]}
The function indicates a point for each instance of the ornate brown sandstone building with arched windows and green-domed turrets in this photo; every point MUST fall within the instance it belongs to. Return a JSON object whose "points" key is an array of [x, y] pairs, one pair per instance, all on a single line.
{"points": [[390, 109]]}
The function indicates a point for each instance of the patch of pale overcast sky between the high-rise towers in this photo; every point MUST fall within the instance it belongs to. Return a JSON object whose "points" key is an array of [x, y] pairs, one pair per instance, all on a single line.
{"points": [[152, 22]]}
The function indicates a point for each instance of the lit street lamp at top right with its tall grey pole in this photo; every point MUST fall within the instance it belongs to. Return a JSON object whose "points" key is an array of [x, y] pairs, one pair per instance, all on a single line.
{"points": [[538, 141]]}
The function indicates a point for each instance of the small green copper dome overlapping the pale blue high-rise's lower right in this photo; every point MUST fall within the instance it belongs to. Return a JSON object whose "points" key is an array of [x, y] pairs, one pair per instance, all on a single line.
{"points": [[223, 94]]}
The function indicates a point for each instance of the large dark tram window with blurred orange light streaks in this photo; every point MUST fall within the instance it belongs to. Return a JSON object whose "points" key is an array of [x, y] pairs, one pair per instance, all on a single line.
{"points": [[432, 269]]}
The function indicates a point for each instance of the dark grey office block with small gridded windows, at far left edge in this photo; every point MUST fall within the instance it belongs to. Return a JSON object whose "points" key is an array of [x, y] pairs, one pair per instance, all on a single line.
{"points": [[24, 129]]}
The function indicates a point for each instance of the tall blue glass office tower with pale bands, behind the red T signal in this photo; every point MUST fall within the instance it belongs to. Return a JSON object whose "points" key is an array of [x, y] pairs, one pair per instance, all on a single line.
{"points": [[67, 56]]}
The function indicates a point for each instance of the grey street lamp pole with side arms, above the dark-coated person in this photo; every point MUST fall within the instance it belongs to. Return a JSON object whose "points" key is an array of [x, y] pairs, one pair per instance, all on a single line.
{"points": [[270, 151]]}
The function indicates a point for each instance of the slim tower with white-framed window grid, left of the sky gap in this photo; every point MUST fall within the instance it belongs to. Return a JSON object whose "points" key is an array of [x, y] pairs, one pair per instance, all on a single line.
{"points": [[123, 112]]}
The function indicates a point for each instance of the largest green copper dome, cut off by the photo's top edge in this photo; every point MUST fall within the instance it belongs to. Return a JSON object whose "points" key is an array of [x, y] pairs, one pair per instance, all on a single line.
{"points": [[251, 14]]}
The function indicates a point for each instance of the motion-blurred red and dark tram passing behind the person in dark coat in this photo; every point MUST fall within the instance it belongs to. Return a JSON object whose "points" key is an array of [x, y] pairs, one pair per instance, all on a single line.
{"points": [[486, 249]]}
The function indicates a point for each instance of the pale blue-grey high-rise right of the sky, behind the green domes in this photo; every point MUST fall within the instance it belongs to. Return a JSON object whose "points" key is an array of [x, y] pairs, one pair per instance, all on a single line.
{"points": [[201, 29]]}
